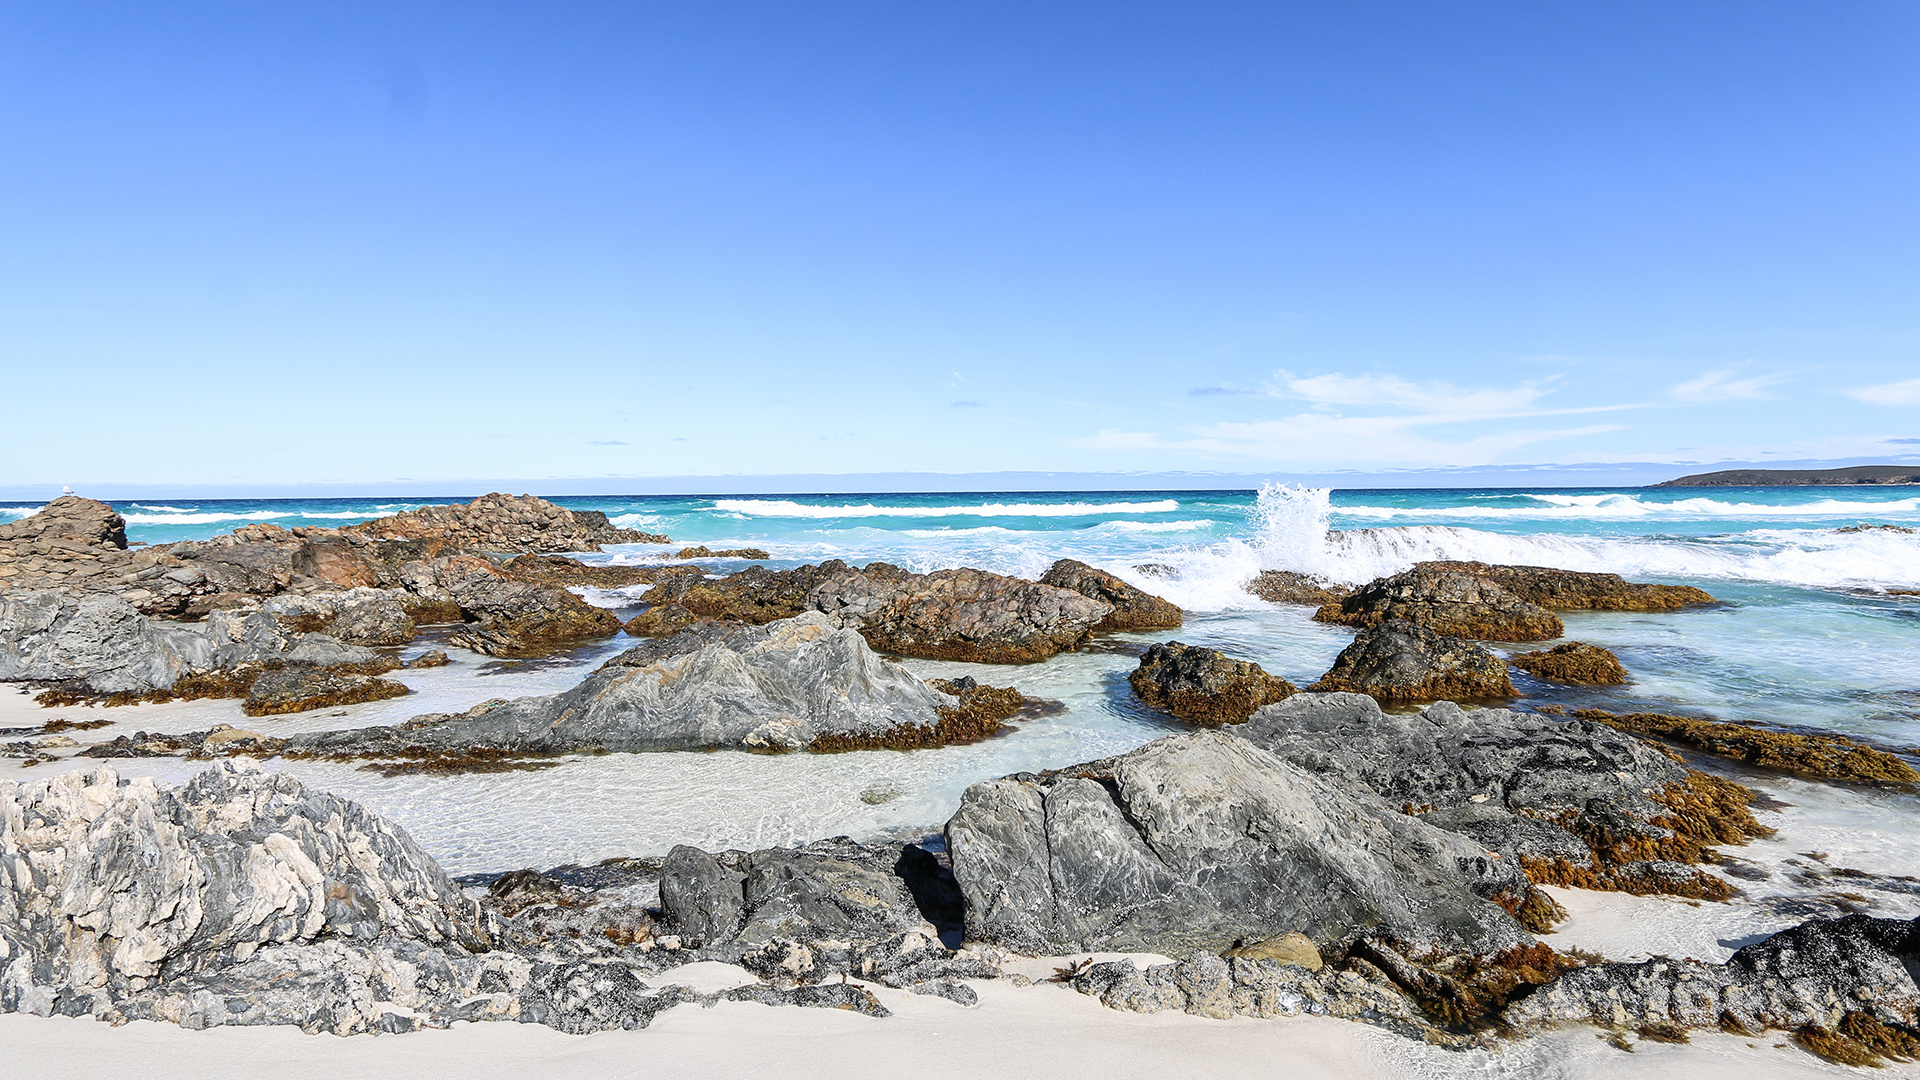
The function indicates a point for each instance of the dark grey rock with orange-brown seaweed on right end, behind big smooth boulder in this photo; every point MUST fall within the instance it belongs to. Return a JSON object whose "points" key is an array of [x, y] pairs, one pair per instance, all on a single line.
{"points": [[1570, 800]]}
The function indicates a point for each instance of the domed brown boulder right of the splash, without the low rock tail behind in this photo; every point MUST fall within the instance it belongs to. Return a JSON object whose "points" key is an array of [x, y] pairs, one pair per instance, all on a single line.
{"points": [[1447, 601]]}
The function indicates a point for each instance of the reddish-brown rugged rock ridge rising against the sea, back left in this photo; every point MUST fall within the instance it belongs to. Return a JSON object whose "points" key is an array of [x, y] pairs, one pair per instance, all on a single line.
{"points": [[504, 524]]}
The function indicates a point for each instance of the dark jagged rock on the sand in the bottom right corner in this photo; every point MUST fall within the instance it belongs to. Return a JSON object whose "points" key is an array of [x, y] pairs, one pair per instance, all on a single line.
{"points": [[1840, 985]]}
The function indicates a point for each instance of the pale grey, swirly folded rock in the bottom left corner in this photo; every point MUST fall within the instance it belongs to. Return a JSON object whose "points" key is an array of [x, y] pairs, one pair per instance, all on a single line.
{"points": [[110, 885]]}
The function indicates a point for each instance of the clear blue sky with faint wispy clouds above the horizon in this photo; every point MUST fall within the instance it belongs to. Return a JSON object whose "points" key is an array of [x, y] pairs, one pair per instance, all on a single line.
{"points": [[360, 243]]}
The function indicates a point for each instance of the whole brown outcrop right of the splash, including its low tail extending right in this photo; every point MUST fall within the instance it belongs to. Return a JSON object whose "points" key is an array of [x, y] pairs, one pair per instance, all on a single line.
{"points": [[1500, 604]]}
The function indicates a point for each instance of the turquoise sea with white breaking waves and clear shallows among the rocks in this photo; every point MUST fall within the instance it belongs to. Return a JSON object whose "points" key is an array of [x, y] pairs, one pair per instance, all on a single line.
{"points": [[1813, 633]]}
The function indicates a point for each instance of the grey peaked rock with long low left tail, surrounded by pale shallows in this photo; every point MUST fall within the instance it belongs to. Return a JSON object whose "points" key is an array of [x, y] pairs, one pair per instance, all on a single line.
{"points": [[777, 687]]}
